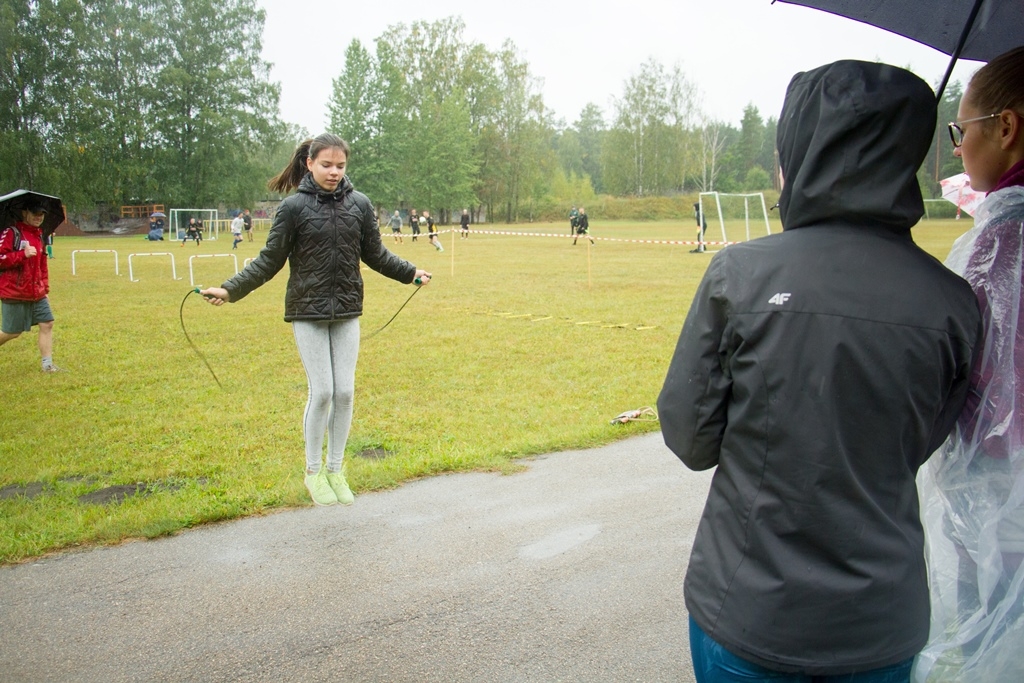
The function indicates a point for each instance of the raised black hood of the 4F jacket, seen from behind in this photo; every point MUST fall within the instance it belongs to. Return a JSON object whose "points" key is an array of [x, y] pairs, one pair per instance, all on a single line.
{"points": [[851, 139]]}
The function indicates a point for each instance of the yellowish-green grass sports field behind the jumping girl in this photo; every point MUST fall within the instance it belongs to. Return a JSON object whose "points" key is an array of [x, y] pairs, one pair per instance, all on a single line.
{"points": [[531, 346]]}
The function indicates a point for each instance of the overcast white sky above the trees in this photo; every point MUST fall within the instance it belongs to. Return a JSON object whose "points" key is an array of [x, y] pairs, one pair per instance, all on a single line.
{"points": [[737, 52]]}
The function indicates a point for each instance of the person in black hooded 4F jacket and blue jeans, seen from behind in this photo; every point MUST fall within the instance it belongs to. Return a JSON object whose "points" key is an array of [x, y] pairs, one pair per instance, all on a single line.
{"points": [[819, 369]]}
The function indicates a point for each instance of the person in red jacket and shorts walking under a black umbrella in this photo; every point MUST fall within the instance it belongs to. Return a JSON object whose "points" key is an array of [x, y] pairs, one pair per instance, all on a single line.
{"points": [[25, 283]]}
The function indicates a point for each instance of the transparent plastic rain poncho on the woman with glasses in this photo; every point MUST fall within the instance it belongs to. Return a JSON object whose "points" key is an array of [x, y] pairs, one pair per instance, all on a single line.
{"points": [[972, 490]]}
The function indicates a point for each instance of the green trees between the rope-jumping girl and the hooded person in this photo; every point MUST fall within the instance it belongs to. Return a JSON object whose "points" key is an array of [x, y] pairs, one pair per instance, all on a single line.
{"points": [[438, 121]]}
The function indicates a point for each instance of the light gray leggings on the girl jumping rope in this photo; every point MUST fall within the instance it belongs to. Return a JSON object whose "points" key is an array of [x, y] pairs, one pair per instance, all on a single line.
{"points": [[329, 352]]}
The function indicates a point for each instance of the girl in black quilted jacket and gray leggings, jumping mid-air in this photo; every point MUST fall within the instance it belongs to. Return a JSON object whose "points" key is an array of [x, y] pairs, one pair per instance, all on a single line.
{"points": [[323, 232]]}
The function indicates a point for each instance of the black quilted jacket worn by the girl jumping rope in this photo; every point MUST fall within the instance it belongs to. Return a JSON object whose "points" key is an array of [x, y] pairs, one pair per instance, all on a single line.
{"points": [[323, 236]]}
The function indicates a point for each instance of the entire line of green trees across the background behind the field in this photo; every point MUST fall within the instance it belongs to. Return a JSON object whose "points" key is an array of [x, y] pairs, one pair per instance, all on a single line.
{"points": [[135, 102]]}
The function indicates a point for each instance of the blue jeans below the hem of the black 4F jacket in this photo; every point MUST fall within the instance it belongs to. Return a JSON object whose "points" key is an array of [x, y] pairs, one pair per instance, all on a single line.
{"points": [[714, 664]]}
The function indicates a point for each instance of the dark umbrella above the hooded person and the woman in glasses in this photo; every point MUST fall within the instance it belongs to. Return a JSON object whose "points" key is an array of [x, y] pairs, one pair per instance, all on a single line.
{"points": [[978, 30]]}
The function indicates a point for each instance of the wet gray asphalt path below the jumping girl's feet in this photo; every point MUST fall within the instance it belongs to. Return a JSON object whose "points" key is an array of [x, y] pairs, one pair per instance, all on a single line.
{"points": [[569, 571]]}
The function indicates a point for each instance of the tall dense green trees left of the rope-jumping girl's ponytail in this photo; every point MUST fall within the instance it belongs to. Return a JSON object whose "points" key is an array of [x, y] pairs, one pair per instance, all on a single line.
{"points": [[123, 102]]}
